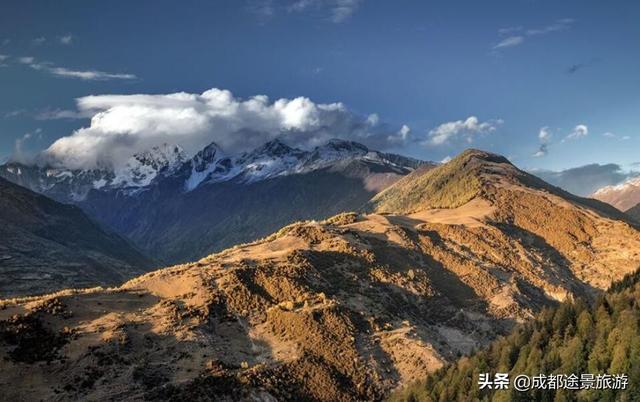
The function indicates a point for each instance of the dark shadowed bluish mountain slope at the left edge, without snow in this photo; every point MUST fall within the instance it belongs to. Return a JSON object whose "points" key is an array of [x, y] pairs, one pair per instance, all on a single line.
{"points": [[47, 246]]}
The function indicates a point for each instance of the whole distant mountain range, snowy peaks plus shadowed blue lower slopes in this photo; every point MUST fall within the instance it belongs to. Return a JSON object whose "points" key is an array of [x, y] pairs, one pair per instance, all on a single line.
{"points": [[177, 208]]}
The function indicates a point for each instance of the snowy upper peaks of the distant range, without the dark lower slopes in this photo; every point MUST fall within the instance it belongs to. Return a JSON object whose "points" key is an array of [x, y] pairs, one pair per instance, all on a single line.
{"points": [[208, 166]]}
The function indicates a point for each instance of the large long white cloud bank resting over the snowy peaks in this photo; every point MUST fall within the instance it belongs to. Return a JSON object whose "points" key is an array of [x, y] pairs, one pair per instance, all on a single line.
{"points": [[124, 124]]}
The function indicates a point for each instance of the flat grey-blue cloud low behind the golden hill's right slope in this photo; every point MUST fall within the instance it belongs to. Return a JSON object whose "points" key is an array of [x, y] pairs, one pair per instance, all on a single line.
{"points": [[585, 180]]}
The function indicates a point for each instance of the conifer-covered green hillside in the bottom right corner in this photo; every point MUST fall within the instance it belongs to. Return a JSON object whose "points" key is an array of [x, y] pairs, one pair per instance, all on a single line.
{"points": [[572, 338]]}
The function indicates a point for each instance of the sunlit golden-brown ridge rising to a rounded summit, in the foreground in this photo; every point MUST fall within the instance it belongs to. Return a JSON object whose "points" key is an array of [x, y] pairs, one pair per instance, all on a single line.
{"points": [[345, 309]]}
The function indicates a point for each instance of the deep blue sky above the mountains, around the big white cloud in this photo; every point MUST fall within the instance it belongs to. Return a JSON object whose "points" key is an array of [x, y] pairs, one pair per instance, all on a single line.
{"points": [[551, 84]]}
